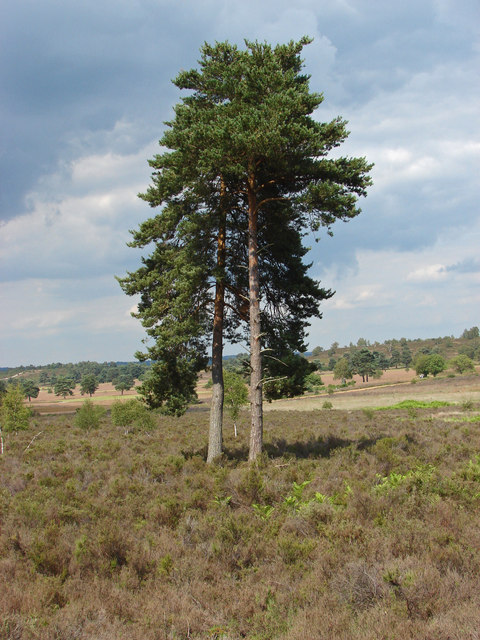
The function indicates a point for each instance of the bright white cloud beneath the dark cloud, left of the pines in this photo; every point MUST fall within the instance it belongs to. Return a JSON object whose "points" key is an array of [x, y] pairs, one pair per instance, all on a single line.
{"points": [[82, 227]]}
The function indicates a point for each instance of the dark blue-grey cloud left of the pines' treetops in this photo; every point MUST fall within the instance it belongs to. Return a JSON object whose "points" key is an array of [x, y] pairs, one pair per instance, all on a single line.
{"points": [[75, 69]]}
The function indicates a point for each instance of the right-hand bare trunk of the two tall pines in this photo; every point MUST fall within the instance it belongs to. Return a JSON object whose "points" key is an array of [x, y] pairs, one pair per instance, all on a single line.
{"points": [[256, 407]]}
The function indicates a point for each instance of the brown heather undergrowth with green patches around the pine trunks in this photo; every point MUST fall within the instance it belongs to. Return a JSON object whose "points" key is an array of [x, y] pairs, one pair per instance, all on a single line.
{"points": [[356, 525]]}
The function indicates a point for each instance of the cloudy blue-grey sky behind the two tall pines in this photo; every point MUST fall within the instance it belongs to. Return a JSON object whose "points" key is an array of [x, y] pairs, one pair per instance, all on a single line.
{"points": [[85, 89]]}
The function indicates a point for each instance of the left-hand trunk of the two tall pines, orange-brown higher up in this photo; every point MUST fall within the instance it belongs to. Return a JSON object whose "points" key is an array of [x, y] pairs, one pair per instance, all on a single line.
{"points": [[215, 437]]}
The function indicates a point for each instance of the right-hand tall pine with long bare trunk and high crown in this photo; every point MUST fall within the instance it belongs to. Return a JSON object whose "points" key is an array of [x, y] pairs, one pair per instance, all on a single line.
{"points": [[260, 133]]}
